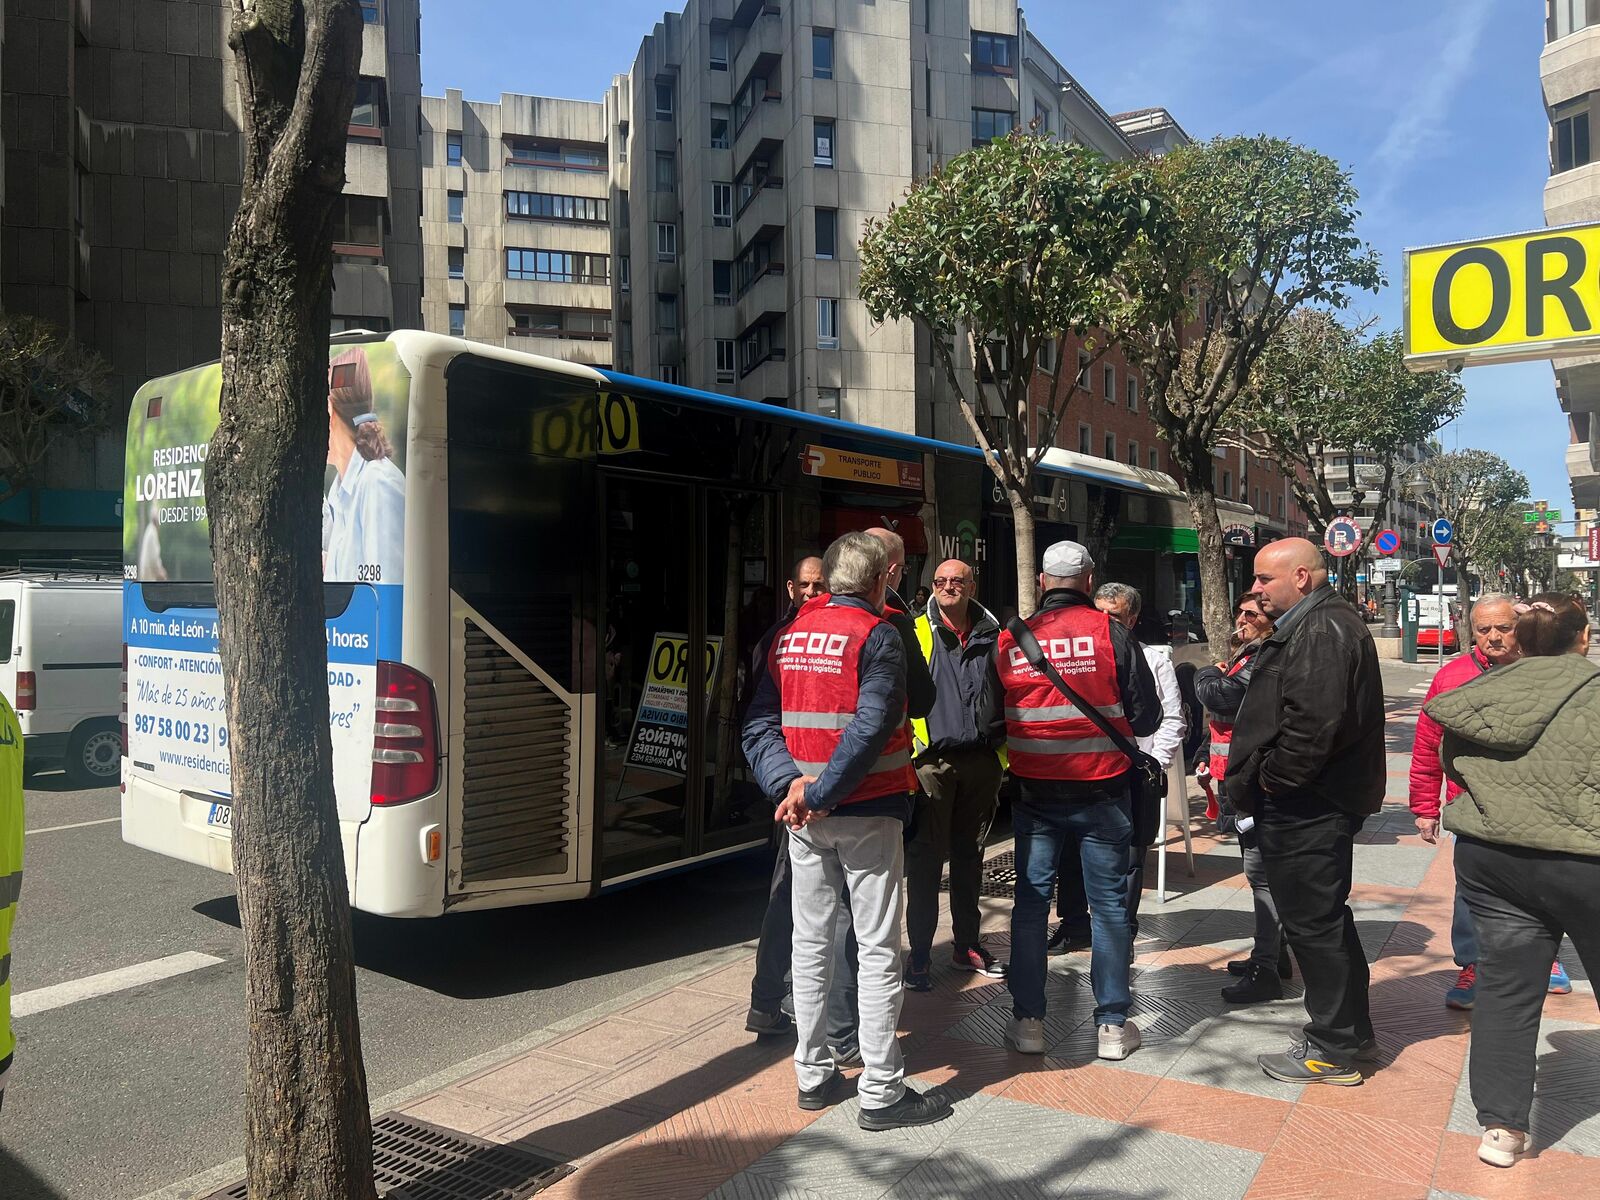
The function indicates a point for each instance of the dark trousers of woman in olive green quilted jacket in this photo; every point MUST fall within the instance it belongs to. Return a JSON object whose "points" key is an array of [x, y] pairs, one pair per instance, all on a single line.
{"points": [[1522, 903]]}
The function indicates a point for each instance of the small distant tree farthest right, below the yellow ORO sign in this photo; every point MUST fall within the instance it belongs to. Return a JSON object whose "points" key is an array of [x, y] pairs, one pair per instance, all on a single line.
{"points": [[1478, 492]]}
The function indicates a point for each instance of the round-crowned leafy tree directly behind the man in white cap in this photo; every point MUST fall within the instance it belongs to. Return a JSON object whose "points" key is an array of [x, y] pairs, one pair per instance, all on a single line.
{"points": [[1014, 247]]}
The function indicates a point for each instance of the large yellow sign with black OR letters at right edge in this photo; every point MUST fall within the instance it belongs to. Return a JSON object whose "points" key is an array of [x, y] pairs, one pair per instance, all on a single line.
{"points": [[1503, 300]]}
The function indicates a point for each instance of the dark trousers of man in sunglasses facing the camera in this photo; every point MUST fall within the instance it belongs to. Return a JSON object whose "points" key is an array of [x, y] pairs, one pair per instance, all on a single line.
{"points": [[954, 812]]}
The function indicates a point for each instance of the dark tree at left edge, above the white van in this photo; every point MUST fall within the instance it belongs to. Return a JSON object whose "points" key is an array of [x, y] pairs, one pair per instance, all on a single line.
{"points": [[50, 388]]}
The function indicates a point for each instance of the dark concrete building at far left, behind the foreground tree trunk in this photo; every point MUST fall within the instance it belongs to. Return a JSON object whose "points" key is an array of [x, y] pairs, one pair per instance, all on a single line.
{"points": [[124, 166]]}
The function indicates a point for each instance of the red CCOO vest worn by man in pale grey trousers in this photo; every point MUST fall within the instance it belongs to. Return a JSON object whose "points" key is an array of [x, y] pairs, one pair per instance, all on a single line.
{"points": [[817, 663]]}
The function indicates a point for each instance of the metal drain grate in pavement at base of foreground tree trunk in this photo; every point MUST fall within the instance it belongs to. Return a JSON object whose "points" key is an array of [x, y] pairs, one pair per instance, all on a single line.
{"points": [[415, 1161]]}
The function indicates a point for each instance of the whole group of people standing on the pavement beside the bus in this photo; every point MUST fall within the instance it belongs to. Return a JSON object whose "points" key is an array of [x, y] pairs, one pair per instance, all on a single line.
{"points": [[884, 734]]}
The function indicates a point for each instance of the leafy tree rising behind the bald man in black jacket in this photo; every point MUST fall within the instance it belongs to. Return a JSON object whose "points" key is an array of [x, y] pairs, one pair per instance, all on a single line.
{"points": [[1257, 230]]}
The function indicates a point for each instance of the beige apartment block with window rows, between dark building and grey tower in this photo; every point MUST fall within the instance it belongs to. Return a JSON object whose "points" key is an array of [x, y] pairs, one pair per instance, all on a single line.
{"points": [[518, 225]]}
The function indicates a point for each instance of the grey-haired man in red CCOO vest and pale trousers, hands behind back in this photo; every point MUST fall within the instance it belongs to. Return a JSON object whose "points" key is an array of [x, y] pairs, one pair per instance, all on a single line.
{"points": [[826, 732]]}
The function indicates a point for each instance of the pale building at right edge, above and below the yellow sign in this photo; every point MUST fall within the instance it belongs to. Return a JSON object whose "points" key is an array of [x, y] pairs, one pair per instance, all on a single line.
{"points": [[1570, 79]]}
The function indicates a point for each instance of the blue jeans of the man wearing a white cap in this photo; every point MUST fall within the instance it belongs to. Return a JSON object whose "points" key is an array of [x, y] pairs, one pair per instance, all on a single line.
{"points": [[1100, 820]]}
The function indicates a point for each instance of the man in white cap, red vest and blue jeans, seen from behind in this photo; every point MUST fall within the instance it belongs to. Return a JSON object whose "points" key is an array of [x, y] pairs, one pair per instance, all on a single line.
{"points": [[1074, 786]]}
